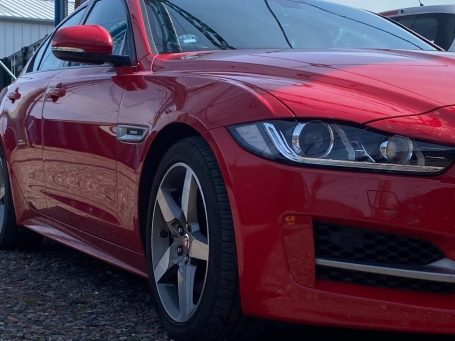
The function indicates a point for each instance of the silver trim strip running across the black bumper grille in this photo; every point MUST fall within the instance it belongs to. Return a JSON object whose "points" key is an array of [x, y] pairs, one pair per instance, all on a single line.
{"points": [[442, 271]]}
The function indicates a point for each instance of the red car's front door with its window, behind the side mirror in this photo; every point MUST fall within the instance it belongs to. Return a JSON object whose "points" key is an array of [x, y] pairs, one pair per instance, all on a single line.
{"points": [[79, 135]]}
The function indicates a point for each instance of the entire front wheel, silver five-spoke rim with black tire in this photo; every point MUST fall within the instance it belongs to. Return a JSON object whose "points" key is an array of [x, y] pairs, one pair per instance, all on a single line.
{"points": [[191, 248]]}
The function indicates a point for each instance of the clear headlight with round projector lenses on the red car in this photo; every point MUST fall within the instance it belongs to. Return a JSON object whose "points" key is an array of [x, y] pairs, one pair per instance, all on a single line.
{"points": [[331, 144]]}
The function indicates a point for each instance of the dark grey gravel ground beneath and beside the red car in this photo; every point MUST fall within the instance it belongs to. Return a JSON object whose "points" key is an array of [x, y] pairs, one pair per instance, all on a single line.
{"points": [[54, 293]]}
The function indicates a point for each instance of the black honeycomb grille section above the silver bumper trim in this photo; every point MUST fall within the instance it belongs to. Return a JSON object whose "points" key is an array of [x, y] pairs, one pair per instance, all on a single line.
{"points": [[348, 244]]}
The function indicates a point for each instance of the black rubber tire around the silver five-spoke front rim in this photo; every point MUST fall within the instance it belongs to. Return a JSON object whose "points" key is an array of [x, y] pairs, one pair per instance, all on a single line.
{"points": [[219, 315]]}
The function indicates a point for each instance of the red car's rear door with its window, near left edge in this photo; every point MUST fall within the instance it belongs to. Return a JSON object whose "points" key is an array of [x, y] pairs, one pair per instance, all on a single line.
{"points": [[24, 106]]}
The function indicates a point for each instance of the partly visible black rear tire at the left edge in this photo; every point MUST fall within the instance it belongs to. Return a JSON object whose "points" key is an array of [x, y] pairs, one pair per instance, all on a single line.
{"points": [[12, 236]]}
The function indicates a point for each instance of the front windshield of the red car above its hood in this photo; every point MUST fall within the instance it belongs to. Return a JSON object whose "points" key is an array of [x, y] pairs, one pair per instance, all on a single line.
{"points": [[198, 25]]}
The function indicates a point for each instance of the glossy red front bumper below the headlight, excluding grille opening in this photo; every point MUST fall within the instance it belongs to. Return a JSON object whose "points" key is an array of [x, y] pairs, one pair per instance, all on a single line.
{"points": [[274, 207]]}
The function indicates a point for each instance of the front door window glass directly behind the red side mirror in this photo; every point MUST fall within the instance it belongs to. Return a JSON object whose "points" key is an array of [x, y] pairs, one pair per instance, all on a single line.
{"points": [[113, 16]]}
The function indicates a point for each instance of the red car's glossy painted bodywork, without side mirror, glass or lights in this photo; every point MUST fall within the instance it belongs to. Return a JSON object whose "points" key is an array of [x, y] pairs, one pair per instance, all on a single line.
{"points": [[74, 182]]}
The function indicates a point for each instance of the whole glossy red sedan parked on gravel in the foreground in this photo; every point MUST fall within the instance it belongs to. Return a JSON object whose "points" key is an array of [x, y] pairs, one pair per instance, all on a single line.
{"points": [[265, 159]]}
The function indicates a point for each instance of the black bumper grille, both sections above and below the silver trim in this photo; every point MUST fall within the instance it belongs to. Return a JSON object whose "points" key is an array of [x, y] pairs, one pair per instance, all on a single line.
{"points": [[363, 246]]}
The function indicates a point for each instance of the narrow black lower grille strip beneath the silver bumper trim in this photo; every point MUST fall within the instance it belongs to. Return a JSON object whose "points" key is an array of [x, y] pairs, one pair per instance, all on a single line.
{"points": [[390, 282]]}
